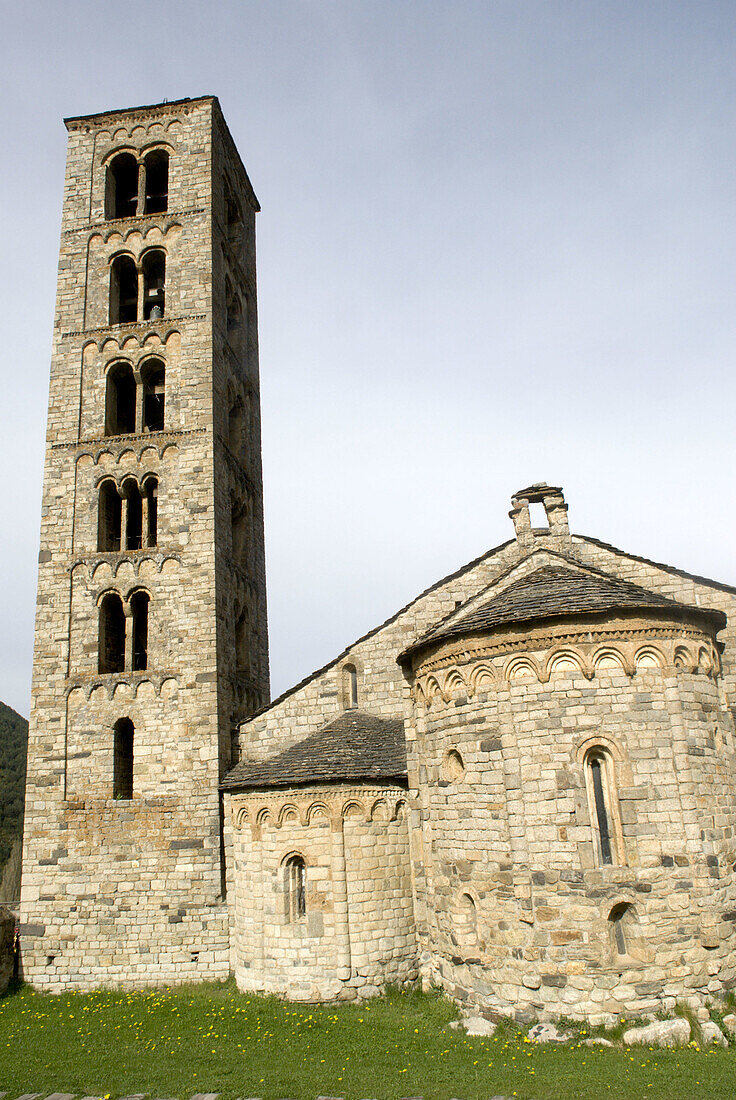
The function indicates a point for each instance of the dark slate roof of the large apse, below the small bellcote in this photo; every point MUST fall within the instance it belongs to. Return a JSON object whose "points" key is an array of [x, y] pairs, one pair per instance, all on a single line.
{"points": [[555, 592]]}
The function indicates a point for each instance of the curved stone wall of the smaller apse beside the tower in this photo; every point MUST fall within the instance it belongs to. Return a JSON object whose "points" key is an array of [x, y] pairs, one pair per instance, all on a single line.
{"points": [[357, 933]]}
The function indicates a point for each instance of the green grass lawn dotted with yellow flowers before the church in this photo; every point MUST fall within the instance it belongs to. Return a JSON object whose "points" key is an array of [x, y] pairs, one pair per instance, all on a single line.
{"points": [[212, 1039]]}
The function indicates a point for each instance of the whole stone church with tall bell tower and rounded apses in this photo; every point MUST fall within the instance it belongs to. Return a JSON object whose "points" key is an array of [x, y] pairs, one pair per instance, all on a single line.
{"points": [[522, 787]]}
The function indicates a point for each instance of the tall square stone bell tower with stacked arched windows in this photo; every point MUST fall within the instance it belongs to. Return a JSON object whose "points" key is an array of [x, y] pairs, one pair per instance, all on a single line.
{"points": [[151, 625]]}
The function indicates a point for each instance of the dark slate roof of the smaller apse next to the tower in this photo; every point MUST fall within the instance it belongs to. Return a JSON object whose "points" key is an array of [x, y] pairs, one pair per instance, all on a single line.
{"points": [[355, 746]]}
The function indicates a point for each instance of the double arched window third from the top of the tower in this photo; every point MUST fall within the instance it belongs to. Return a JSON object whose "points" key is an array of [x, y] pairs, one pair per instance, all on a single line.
{"points": [[136, 400]]}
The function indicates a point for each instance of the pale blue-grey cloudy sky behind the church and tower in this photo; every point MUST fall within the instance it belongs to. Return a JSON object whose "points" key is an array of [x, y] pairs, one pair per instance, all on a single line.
{"points": [[497, 247]]}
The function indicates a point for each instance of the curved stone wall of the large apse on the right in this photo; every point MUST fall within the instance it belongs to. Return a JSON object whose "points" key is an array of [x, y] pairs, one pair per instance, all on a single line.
{"points": [[517, 909]]}
